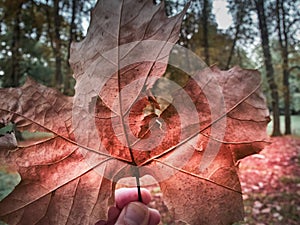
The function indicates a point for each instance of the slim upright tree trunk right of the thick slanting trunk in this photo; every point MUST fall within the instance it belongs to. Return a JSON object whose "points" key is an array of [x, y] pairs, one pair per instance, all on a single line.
{"points": [[283, 41]]}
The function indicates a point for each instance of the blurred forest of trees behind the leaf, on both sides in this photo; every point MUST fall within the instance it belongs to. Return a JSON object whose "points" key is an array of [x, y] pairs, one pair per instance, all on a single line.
{"points": [[264, 34]]}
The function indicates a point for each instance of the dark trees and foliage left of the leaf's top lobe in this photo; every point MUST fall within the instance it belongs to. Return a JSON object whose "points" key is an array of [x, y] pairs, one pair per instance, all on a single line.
{"points": [[28, 39]]}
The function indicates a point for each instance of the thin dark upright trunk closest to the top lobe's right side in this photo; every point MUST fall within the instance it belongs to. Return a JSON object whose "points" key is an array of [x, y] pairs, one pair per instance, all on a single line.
{"points": [[205, 17]]}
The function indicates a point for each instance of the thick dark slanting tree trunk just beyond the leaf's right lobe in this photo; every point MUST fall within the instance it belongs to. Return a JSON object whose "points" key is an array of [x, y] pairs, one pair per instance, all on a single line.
{"points": [[268, 64]]}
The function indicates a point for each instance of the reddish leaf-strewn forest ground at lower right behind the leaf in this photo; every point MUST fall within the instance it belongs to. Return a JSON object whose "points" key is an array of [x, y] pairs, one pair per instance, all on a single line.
{"points": [[270, 183]]}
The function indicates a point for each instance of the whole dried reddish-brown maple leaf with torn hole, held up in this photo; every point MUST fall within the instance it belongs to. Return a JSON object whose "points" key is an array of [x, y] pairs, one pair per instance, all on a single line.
{"points": [[126, 120]]}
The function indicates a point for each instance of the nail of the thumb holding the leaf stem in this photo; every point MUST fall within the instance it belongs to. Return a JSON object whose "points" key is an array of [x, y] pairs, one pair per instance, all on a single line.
{"points": [[136, 214]]}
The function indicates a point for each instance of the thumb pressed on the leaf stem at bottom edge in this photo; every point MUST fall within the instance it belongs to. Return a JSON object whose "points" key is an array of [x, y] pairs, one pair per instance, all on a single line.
{"points": [[135, 213]]}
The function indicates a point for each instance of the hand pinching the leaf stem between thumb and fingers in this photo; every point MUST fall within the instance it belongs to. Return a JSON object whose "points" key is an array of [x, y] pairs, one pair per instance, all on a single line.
{"points": [[128, 211]]}
